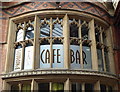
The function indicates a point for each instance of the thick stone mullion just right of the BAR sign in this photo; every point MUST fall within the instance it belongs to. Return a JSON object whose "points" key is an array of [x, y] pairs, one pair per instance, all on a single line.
{"points": [[93, 45]]}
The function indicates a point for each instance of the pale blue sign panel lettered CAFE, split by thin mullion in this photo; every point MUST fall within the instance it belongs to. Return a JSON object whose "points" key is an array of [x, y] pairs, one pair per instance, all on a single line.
{"points": [[58, 57]]}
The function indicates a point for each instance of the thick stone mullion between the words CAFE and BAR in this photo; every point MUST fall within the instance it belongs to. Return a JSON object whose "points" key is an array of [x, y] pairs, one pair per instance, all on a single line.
{"points": [[66, 43]]}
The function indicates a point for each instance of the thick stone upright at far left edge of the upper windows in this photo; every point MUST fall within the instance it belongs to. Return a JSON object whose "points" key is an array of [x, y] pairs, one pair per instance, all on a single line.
{"points": [[10, 51]]}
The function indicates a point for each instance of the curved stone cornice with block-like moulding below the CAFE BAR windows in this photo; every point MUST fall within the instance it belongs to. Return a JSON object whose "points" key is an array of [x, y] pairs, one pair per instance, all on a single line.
{"points": [[57, 72]]}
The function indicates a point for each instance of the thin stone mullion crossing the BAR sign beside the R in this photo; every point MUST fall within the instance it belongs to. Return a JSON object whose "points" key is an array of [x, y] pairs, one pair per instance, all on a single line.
{"points": [[80, 37]]}
